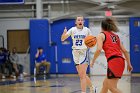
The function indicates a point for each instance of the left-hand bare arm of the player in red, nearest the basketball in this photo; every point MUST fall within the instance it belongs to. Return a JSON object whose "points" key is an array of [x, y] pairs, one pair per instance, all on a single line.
{"points": [[100, 39]]}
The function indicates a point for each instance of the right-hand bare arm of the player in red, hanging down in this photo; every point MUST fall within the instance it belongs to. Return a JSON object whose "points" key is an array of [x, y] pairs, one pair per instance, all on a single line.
{"points": [[126, 54]]}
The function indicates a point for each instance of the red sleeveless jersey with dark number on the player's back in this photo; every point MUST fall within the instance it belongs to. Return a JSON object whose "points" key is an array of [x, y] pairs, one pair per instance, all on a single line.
{"points": [[111, 45]]}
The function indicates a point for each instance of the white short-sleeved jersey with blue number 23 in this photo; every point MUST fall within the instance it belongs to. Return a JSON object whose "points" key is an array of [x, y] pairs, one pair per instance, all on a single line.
{"points": [[78, 36]]}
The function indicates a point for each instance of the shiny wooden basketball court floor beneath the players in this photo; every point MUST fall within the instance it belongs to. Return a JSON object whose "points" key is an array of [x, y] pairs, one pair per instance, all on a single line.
{"points": [[63, 84]]}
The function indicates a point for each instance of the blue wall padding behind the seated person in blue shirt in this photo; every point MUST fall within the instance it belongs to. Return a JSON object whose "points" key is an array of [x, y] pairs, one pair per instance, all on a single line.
{"points": [[39, 36]]}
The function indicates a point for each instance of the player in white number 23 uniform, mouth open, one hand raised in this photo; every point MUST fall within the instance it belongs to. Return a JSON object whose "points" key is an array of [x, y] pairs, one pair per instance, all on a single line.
{"points": [[79, 51]]}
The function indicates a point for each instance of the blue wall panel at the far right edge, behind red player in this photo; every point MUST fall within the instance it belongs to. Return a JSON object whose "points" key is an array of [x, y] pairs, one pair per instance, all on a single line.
{"points": [[135, 45]]}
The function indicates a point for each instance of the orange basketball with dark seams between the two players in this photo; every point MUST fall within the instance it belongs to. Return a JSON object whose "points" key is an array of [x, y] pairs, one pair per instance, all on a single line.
{"points": [[90, 41]]}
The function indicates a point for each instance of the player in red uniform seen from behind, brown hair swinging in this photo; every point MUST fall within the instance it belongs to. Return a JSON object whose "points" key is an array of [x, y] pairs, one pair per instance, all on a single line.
{"points": [[110, 43]]}
